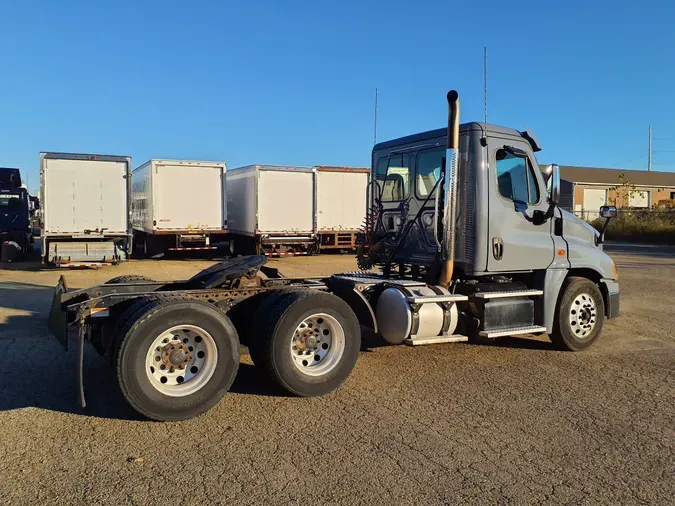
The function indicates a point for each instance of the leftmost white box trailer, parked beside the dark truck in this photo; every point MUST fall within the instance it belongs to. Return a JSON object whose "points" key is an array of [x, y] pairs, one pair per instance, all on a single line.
{"points": [[86, 205]]}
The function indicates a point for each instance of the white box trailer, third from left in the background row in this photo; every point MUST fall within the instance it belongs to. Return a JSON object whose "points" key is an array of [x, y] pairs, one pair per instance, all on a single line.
{"points": [[272, 210]]}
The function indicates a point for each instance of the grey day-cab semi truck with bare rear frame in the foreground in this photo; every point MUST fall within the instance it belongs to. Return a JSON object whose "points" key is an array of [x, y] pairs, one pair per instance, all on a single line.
{"points": [[470, 243]]}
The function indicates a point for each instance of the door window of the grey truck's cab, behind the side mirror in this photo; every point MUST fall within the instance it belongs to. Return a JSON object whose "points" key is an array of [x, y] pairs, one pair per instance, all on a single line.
{"points": [[515, 178]]}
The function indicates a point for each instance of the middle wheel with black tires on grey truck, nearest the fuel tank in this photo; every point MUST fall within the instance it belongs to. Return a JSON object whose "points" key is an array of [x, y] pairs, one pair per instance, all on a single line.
{"points": [[307, 341]]}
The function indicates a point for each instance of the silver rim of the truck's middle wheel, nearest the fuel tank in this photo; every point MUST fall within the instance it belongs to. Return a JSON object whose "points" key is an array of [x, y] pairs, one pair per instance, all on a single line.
{"points": [[317, 345]]}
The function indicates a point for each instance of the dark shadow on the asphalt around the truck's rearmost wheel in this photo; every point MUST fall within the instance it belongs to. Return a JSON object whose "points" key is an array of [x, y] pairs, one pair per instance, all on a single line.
{"points": [[48, 373]]}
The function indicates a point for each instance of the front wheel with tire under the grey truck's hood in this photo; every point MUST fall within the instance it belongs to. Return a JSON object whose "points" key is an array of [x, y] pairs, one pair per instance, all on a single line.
{"points": [[580, 315]]}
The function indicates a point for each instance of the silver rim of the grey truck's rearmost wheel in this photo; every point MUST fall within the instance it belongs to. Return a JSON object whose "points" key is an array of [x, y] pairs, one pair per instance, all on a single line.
{"points": [[181, 360]]}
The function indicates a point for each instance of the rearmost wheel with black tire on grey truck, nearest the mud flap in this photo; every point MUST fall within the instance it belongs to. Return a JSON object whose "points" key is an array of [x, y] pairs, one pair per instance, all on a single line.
{"points": [[185, 323]]}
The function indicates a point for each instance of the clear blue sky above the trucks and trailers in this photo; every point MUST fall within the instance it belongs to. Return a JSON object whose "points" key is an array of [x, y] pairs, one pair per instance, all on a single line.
{"points": [[293, 82]]}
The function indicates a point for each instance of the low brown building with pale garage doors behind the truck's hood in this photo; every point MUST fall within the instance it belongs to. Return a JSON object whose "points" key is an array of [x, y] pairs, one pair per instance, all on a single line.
{"points": [[585, 189]]}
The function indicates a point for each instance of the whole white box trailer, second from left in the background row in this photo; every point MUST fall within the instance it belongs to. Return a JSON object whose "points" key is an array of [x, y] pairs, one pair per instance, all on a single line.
{"points": [[178, 205]]}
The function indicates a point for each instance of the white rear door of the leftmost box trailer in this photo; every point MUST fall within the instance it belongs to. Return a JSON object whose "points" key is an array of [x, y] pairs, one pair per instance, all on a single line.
{"points": [[85, 195]]}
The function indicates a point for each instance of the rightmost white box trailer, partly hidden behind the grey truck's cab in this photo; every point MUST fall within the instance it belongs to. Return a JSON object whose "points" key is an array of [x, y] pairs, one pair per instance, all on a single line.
{"points": [[341, 202]]}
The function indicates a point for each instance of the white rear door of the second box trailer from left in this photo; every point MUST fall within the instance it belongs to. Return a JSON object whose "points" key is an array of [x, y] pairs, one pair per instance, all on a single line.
{"points": [[189, 197]]}
